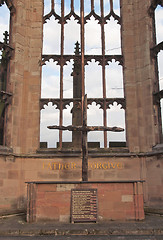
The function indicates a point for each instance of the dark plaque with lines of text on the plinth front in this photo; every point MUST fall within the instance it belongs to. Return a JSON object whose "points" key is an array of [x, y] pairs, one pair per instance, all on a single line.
{"points": [[83, 205]]}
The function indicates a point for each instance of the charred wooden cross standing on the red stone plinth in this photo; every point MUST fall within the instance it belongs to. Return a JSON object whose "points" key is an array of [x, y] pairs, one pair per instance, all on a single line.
{"points": [[85, 129]]}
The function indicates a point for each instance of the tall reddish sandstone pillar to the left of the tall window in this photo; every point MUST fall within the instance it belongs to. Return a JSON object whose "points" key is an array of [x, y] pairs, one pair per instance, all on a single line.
{"points": [[23, 117]]}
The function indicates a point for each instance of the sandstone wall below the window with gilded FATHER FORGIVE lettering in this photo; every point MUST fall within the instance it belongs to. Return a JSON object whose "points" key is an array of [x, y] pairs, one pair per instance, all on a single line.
{"points": [[16, 170]]}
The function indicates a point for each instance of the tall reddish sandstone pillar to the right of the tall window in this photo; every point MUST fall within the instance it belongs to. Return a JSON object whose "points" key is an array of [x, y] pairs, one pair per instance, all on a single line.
{"points": [[139, 75]]}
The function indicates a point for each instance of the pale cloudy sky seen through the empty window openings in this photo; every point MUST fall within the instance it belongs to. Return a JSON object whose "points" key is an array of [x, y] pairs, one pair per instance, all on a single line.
{"points": [[93, 72]]}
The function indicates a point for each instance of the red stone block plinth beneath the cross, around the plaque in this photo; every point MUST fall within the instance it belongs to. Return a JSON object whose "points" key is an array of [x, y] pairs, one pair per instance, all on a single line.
{"points": [[116, 200]]}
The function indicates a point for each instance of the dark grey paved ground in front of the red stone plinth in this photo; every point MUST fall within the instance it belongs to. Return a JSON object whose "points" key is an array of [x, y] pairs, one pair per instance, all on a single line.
{"points": [[17, 226]]}
